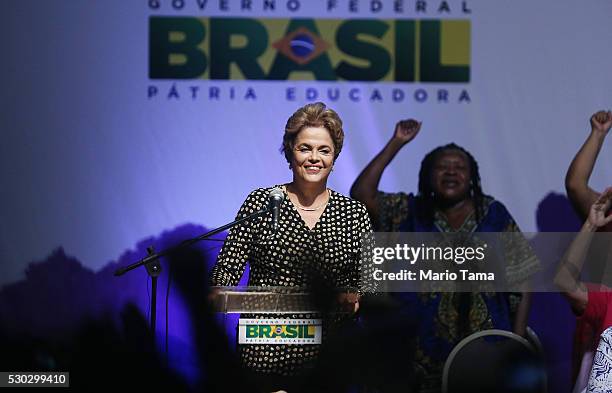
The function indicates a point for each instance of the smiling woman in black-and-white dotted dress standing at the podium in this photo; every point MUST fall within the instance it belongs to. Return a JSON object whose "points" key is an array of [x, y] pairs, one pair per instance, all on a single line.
{"points": [[318, 238]]}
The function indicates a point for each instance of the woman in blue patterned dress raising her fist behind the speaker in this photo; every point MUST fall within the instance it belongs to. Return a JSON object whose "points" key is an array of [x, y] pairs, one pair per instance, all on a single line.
{"points": [[449, 199]]}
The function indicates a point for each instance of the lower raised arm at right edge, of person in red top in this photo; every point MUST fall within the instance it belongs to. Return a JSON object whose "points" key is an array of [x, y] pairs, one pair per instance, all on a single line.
{"points": [[568, 274]]}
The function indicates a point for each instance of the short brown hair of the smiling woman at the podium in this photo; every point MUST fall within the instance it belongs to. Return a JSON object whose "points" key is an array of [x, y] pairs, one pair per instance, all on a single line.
{"points": [[313, 115]]}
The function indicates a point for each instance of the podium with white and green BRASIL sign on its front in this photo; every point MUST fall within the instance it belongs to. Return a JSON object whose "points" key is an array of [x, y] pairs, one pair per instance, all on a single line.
{"points": [[271, 308]]}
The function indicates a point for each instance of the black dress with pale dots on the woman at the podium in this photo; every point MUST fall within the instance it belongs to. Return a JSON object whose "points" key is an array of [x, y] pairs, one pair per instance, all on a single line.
{"points": [[295, 256]]}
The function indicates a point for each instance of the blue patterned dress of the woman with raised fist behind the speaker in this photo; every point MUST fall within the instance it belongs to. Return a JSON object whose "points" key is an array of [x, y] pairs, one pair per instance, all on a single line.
{"points": [[442, 321]]}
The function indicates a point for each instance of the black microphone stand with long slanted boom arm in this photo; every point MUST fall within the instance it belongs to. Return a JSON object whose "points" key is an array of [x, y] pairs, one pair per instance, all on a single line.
{"points": [[153, 266]]}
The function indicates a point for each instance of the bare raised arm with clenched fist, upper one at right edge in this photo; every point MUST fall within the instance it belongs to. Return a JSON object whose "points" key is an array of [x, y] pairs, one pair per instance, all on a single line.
{"points": [[579, 172]]}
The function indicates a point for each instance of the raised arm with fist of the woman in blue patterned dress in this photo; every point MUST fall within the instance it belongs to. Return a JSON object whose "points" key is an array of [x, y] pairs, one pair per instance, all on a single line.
{"points": [[366, 186]]}
